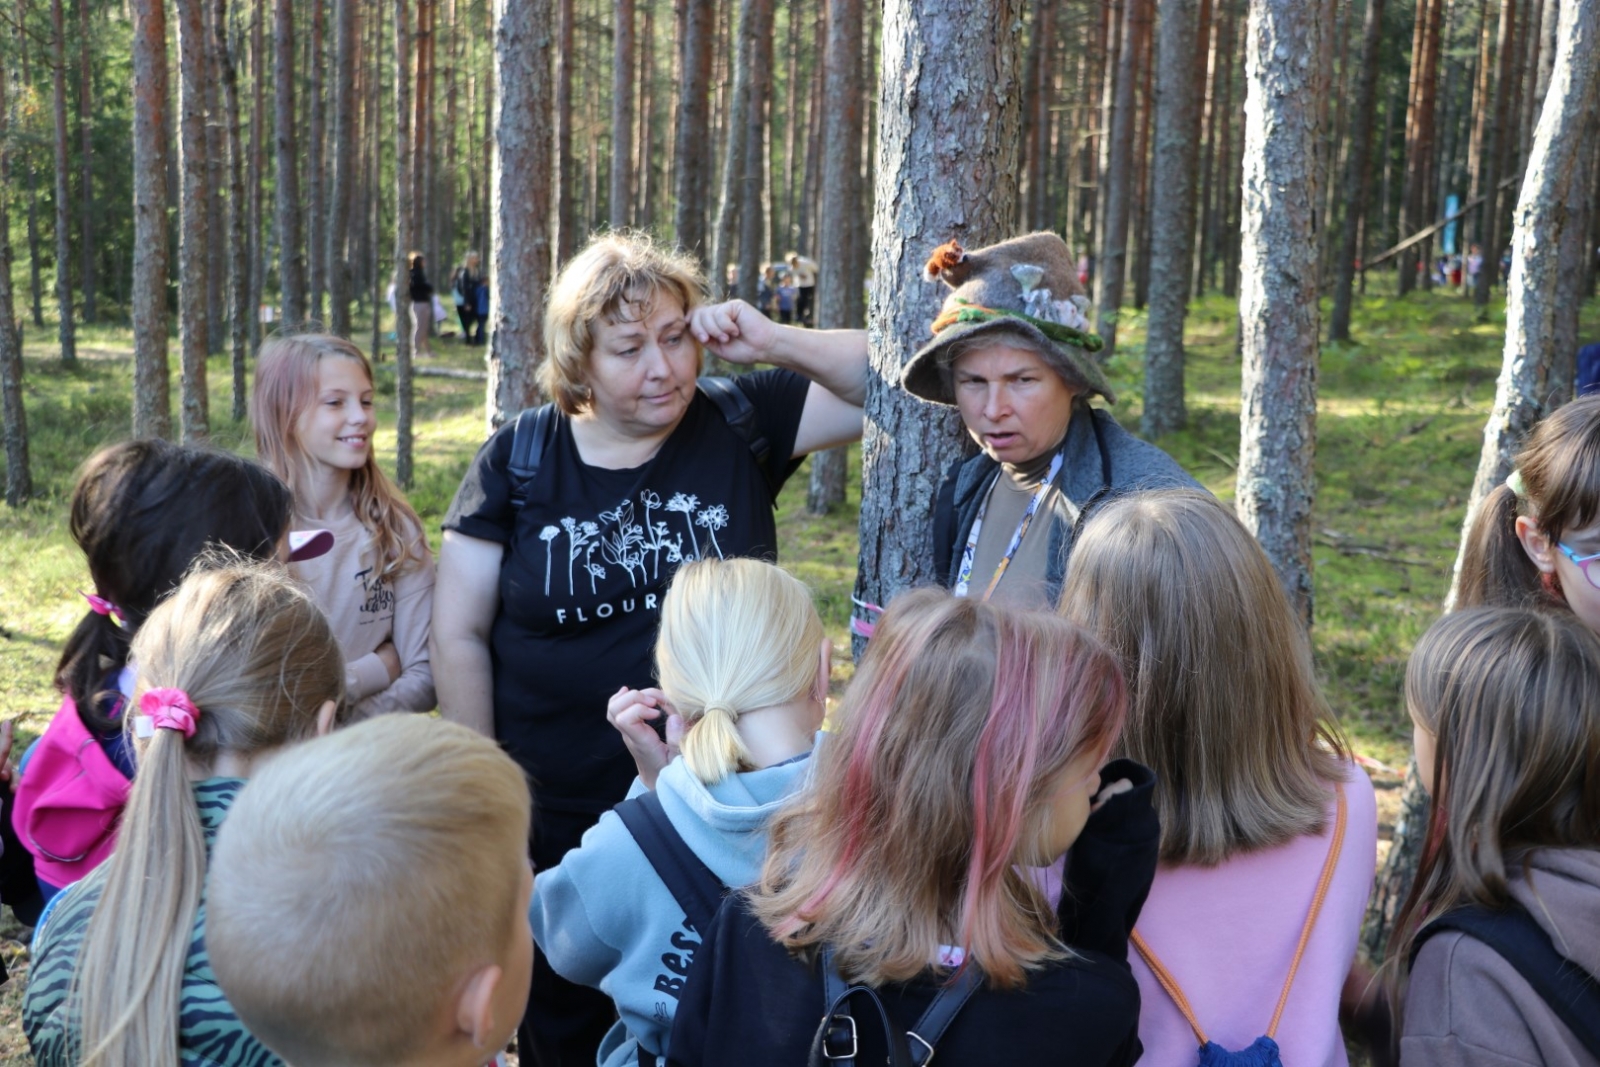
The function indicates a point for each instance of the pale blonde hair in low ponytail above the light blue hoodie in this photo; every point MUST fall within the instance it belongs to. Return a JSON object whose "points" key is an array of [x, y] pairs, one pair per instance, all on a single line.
{"points": [[735, 636]]}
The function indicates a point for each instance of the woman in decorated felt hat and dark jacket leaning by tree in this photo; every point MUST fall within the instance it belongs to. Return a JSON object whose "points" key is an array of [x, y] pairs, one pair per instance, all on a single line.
{"points": [[1014, 354]]}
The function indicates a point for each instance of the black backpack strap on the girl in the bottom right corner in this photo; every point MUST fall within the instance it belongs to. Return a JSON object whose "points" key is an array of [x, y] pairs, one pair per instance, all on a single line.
{"points": [[1570, 991]]}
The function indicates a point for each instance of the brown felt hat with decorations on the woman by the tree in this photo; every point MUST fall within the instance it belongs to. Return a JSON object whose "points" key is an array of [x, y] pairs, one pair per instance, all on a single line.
{"points": [[1028, 286]]}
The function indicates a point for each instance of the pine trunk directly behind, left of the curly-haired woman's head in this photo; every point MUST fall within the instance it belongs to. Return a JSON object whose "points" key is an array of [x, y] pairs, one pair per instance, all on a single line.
{"points": [[521, 257]]}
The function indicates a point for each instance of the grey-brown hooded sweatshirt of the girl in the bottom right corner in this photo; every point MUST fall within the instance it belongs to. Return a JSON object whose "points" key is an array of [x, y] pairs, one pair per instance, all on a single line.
{"points": [[1468, 1007]]}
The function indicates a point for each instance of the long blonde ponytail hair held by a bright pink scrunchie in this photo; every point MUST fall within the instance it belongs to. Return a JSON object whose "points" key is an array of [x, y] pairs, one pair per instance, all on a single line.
{"points": [[257, 658]]}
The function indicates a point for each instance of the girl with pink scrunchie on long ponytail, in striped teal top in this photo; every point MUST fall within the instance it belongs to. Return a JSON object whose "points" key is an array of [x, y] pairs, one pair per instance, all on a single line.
{"points": [[233, 666]]}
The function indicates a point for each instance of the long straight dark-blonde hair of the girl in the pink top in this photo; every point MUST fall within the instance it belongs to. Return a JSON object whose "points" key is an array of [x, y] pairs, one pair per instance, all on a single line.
{"points": [[1225, 705]]}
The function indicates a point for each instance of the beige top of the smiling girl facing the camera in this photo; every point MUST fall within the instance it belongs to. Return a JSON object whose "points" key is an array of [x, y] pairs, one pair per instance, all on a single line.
{"points": [[366, 612]]}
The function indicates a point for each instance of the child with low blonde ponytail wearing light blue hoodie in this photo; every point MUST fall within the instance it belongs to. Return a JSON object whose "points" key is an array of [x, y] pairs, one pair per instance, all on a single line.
{"points": [[743, 665]]}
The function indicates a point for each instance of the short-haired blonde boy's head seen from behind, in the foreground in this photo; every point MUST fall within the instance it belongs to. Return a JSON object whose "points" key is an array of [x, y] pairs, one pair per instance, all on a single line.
{"points": [[369, 898]]}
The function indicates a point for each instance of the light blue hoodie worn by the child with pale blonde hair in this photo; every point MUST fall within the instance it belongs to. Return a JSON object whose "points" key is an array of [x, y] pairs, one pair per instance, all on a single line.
{"points": [[606, 919]]}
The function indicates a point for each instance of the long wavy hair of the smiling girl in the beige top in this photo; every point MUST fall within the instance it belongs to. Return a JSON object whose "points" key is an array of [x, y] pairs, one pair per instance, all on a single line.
{"points": [[286, 388]]}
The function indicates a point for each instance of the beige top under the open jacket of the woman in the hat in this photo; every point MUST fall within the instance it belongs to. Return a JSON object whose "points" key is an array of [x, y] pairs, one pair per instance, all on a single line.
{"points": [[1025, 583]]}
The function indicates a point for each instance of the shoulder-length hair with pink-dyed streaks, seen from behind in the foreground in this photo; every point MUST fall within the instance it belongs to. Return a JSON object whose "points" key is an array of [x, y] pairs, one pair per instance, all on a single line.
{"points": [[953, 740]]}
